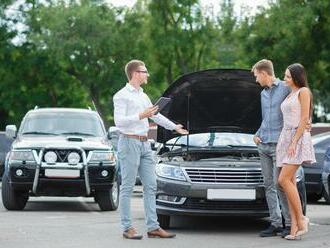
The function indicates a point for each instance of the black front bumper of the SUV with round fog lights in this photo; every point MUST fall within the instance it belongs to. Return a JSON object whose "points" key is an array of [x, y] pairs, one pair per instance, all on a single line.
{"points": [[61, 179]]}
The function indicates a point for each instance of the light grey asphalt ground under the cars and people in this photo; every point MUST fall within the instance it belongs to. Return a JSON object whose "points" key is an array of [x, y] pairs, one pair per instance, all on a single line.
{"points": [[78, 222]]}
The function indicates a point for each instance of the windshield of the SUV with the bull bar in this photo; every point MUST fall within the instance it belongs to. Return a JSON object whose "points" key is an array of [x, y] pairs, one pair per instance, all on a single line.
{"points": [[62, 123]]}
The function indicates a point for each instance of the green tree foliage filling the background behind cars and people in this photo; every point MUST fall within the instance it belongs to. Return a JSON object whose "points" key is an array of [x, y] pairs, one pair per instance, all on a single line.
{"points": [[75, 51]]}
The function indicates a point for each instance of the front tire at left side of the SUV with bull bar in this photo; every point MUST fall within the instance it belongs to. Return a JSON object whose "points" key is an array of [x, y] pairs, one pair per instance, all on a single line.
{"points": [[12, 199]]}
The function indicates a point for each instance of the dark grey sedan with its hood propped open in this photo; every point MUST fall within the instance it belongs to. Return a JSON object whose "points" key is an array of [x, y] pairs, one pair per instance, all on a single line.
{"points": [[215, 170]]}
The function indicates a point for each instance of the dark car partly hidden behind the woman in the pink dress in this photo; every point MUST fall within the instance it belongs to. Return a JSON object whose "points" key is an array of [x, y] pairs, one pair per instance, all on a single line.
{"points": [[313, 172]]}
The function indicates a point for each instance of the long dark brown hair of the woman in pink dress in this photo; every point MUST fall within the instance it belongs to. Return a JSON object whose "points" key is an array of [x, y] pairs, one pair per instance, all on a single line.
{"points": [[299, 78]]}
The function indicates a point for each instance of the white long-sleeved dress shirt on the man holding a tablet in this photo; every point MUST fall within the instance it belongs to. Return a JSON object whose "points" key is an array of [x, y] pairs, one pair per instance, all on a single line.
{"points": [[128, 103]]}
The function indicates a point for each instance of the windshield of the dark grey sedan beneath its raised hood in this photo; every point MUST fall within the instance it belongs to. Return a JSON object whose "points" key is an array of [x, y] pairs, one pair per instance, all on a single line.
{"points": [[214, 140]]}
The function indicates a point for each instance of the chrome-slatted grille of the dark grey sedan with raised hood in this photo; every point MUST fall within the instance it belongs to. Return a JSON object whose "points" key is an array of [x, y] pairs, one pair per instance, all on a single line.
{"points": [[225, 176]]}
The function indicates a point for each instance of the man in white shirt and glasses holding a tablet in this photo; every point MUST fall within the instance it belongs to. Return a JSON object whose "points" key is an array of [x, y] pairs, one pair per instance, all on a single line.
{"points": [[132, 108]]}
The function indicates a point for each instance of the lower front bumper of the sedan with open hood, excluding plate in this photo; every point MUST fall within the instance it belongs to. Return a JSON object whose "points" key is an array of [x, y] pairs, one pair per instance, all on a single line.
{"points": [[191, 199]]}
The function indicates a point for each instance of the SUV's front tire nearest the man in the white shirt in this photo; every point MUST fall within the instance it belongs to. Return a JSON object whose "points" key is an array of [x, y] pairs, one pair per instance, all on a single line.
{"points": [[108, 200]]}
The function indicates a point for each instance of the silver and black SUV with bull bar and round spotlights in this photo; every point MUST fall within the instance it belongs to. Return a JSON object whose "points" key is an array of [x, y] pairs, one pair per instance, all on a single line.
{"points": [[60, 152]]}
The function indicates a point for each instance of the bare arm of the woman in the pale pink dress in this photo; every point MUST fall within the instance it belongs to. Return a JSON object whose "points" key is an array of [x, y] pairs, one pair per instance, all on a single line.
{"points": [[304, 99]]}
